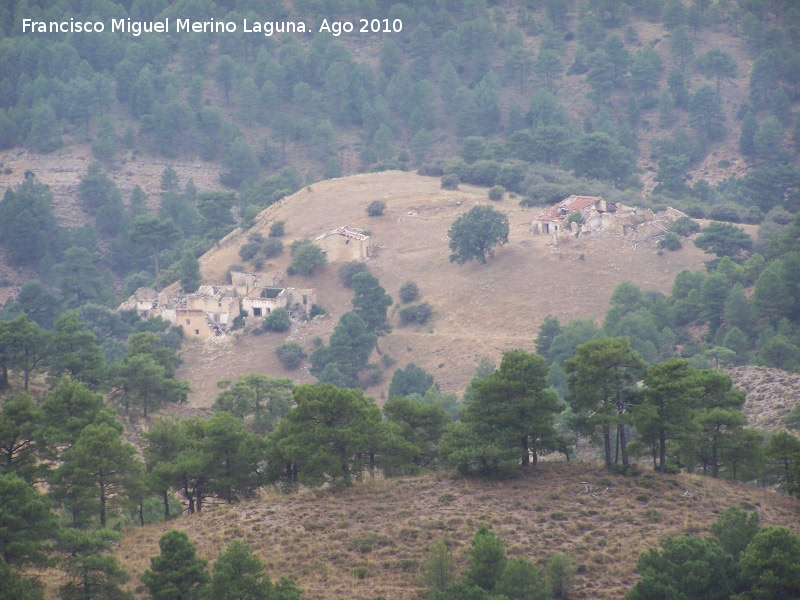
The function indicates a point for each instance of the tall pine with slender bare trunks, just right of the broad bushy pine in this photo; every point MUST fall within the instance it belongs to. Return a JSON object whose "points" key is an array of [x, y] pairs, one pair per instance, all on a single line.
{"points": [[602, 388]]}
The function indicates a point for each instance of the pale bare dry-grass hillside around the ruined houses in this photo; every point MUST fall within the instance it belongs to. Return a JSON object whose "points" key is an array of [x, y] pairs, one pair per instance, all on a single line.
{"points": [[480, 310]]}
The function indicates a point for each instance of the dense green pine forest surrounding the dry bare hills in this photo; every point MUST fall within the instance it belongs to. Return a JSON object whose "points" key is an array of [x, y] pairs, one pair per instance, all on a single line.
{"points": [[652, 103]]}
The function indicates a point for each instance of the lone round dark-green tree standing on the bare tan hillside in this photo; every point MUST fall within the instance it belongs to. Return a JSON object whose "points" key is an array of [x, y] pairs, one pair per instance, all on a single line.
{"points": [[474, 234]]}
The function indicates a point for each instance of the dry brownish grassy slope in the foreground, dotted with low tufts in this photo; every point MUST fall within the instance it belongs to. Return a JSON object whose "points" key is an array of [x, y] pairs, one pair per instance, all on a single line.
{"points": [[370, 541]]}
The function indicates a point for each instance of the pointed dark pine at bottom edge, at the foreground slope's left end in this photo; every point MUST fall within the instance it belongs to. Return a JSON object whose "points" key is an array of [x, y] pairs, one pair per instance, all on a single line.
{"points": [[177, 573]]}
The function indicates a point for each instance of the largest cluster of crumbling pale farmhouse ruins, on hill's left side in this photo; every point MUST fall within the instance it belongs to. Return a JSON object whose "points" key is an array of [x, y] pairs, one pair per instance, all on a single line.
{"points": [[210, 311]]}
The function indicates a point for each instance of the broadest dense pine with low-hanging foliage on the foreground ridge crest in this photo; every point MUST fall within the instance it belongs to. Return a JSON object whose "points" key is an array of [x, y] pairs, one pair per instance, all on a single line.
{"points": [[507, 418]]}
